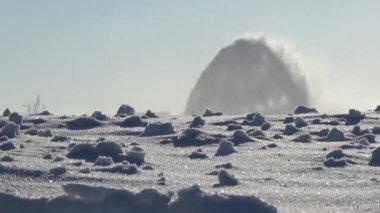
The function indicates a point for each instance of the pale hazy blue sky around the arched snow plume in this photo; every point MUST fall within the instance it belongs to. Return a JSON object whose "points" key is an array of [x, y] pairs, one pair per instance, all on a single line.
{"points": [[91, 55]]}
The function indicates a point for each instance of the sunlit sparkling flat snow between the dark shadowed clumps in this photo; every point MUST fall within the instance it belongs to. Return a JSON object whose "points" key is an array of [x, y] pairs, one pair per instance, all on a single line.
{"points": [[291, 176]]}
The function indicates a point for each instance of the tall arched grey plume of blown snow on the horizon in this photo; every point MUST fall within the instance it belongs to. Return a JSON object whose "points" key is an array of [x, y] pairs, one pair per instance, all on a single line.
{"points": [[247, 76]]}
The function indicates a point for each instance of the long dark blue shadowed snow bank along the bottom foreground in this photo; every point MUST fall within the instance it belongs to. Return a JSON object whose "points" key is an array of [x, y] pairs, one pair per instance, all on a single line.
{"points": [[83, 198]]}
